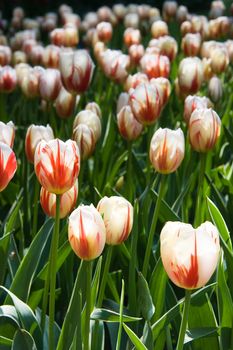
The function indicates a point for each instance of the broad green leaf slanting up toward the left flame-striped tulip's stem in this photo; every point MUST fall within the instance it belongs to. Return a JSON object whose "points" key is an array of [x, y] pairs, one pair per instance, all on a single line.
{"points": [[24, 276]]}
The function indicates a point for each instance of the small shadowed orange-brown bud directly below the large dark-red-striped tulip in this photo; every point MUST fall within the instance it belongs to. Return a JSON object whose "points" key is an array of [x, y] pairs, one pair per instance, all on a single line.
{"points": [[65, 103]]}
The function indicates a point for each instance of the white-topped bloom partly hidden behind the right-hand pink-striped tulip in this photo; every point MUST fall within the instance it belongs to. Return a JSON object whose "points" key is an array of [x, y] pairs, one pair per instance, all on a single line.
{"points": [[194, 102]]}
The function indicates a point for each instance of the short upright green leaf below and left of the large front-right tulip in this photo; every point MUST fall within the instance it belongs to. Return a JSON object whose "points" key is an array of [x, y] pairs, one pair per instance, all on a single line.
{"points": [[145, 301]]}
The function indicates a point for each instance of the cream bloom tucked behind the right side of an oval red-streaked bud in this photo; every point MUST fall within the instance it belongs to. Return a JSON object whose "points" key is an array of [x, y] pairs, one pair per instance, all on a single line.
{"points": [[117, 214]]}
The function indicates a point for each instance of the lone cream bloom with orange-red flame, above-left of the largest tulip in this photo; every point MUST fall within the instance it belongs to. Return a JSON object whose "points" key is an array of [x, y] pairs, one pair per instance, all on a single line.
{"points": [[167, 150]]}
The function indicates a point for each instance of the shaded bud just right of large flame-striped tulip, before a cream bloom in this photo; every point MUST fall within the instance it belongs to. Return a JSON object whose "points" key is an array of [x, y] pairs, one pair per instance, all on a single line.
{"points": [[83, 135]]}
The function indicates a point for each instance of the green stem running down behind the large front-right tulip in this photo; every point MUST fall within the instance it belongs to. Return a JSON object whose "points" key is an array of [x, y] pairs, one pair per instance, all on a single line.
{"points": [[198, 214]]}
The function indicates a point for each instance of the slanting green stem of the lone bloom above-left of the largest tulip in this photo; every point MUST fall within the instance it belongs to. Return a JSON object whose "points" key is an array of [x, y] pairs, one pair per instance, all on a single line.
{"points": [[153, 227]]}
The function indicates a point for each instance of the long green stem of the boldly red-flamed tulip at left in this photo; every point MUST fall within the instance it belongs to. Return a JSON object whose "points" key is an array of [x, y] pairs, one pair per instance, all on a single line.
{"points": [[53, 262]]}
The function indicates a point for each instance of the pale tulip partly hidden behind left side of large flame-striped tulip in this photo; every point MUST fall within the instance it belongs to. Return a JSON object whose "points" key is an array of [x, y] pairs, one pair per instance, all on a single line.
{"points": [[36, 133]]}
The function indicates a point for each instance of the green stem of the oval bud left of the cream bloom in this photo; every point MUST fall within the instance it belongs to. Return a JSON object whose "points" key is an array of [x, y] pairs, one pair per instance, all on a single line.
{"points": [[88, 304]]}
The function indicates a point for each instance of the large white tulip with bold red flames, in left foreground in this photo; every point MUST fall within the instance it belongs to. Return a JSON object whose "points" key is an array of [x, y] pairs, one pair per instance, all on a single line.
{"points": [[57, 165]]}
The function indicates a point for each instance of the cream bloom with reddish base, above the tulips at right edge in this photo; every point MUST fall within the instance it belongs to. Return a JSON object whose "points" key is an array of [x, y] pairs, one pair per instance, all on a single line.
{"points": [[190, 75]]}
